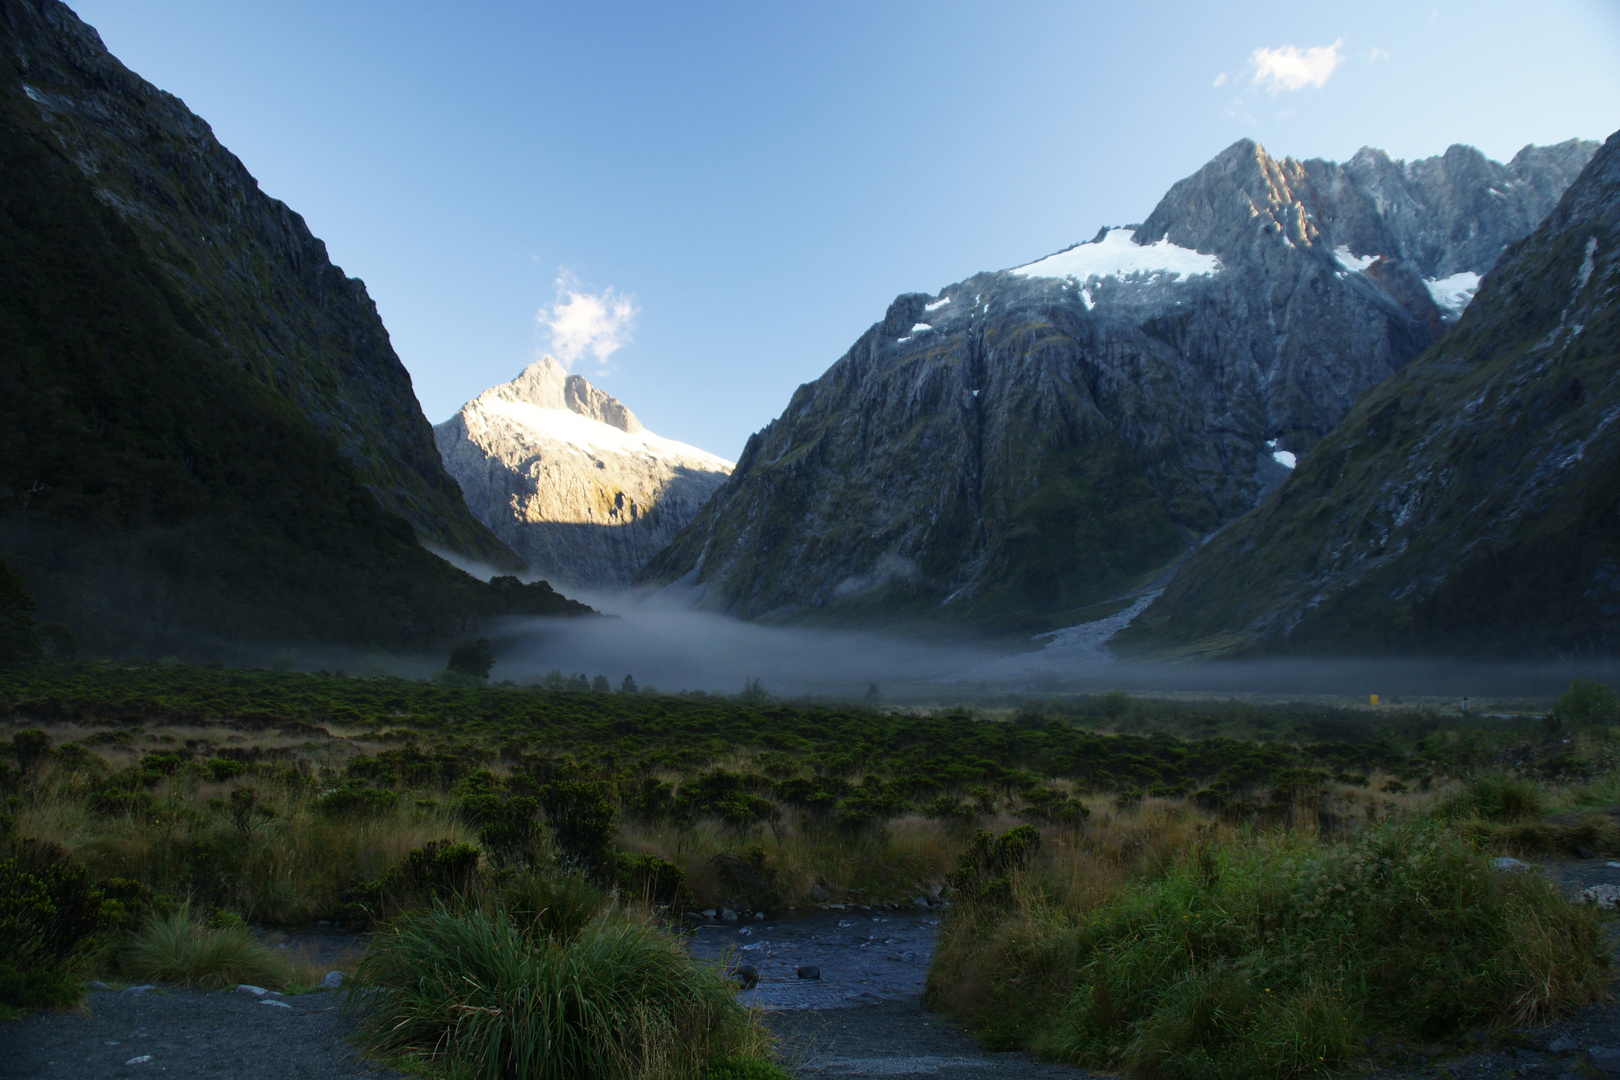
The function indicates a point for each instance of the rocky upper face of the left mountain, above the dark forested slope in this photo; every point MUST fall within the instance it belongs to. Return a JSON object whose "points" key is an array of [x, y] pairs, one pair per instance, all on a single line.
{"points": [[245, 263]]}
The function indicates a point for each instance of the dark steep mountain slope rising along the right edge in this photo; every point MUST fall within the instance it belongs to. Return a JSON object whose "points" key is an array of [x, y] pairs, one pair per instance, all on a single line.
{"points": [[1470, 504]]}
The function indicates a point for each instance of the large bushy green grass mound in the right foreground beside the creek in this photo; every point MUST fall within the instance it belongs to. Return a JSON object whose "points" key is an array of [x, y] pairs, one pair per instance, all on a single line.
{"points": [[1269, 956]]}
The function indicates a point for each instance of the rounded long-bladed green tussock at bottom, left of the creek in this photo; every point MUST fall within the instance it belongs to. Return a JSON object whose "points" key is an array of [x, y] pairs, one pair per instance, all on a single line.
{"points": [[475, 995]]}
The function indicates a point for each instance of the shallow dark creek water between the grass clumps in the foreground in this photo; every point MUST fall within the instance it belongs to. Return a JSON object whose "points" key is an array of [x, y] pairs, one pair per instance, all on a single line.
{"points": [[864, 956]]}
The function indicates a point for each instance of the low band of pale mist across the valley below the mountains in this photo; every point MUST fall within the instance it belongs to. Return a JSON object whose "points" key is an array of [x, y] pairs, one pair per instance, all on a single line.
{"points": [[673, 647]]}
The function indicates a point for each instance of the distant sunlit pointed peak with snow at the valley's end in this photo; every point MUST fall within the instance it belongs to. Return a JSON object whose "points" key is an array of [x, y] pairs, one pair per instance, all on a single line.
{"points": [[569, 478]]}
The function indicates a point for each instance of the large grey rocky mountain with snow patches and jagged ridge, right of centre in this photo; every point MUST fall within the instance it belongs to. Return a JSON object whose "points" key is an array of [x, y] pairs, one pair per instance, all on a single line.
{"points": [[1030, 443]]}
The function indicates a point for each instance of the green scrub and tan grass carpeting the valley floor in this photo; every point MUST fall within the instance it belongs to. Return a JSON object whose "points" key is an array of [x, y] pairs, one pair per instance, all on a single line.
{"points": [[1072, 836]]}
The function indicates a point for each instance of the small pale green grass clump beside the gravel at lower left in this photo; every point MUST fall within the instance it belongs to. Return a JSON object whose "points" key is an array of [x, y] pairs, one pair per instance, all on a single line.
{"points": [[177, 948]]}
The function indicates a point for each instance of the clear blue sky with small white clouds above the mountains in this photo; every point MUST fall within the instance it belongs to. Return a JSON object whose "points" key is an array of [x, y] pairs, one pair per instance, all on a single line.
{"points": [[730, 193]]}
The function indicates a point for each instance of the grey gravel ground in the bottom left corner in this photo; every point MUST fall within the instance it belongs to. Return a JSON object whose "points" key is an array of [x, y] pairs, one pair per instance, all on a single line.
{"points": [[187, 1034]]}
